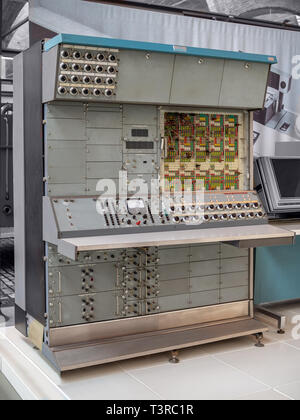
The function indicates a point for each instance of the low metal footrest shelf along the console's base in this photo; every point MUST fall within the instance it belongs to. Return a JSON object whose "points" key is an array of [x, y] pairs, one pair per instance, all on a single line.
{"points": [[73, 357]]}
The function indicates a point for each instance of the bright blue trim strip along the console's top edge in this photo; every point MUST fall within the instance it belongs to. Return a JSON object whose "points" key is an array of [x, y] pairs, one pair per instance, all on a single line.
{"points": [[164, 48]]}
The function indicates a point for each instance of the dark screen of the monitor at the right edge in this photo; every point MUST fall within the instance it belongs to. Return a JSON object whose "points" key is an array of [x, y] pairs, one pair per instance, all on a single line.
{"points": [[287, 174]]}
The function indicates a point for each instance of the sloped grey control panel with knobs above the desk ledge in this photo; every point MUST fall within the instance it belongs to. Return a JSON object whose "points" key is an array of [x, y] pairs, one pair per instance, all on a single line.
{"points": [[92, 216]]}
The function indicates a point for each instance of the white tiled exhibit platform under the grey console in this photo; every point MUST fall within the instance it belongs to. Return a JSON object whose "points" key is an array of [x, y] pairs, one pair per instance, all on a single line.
{"points": [[232, 369]]}
